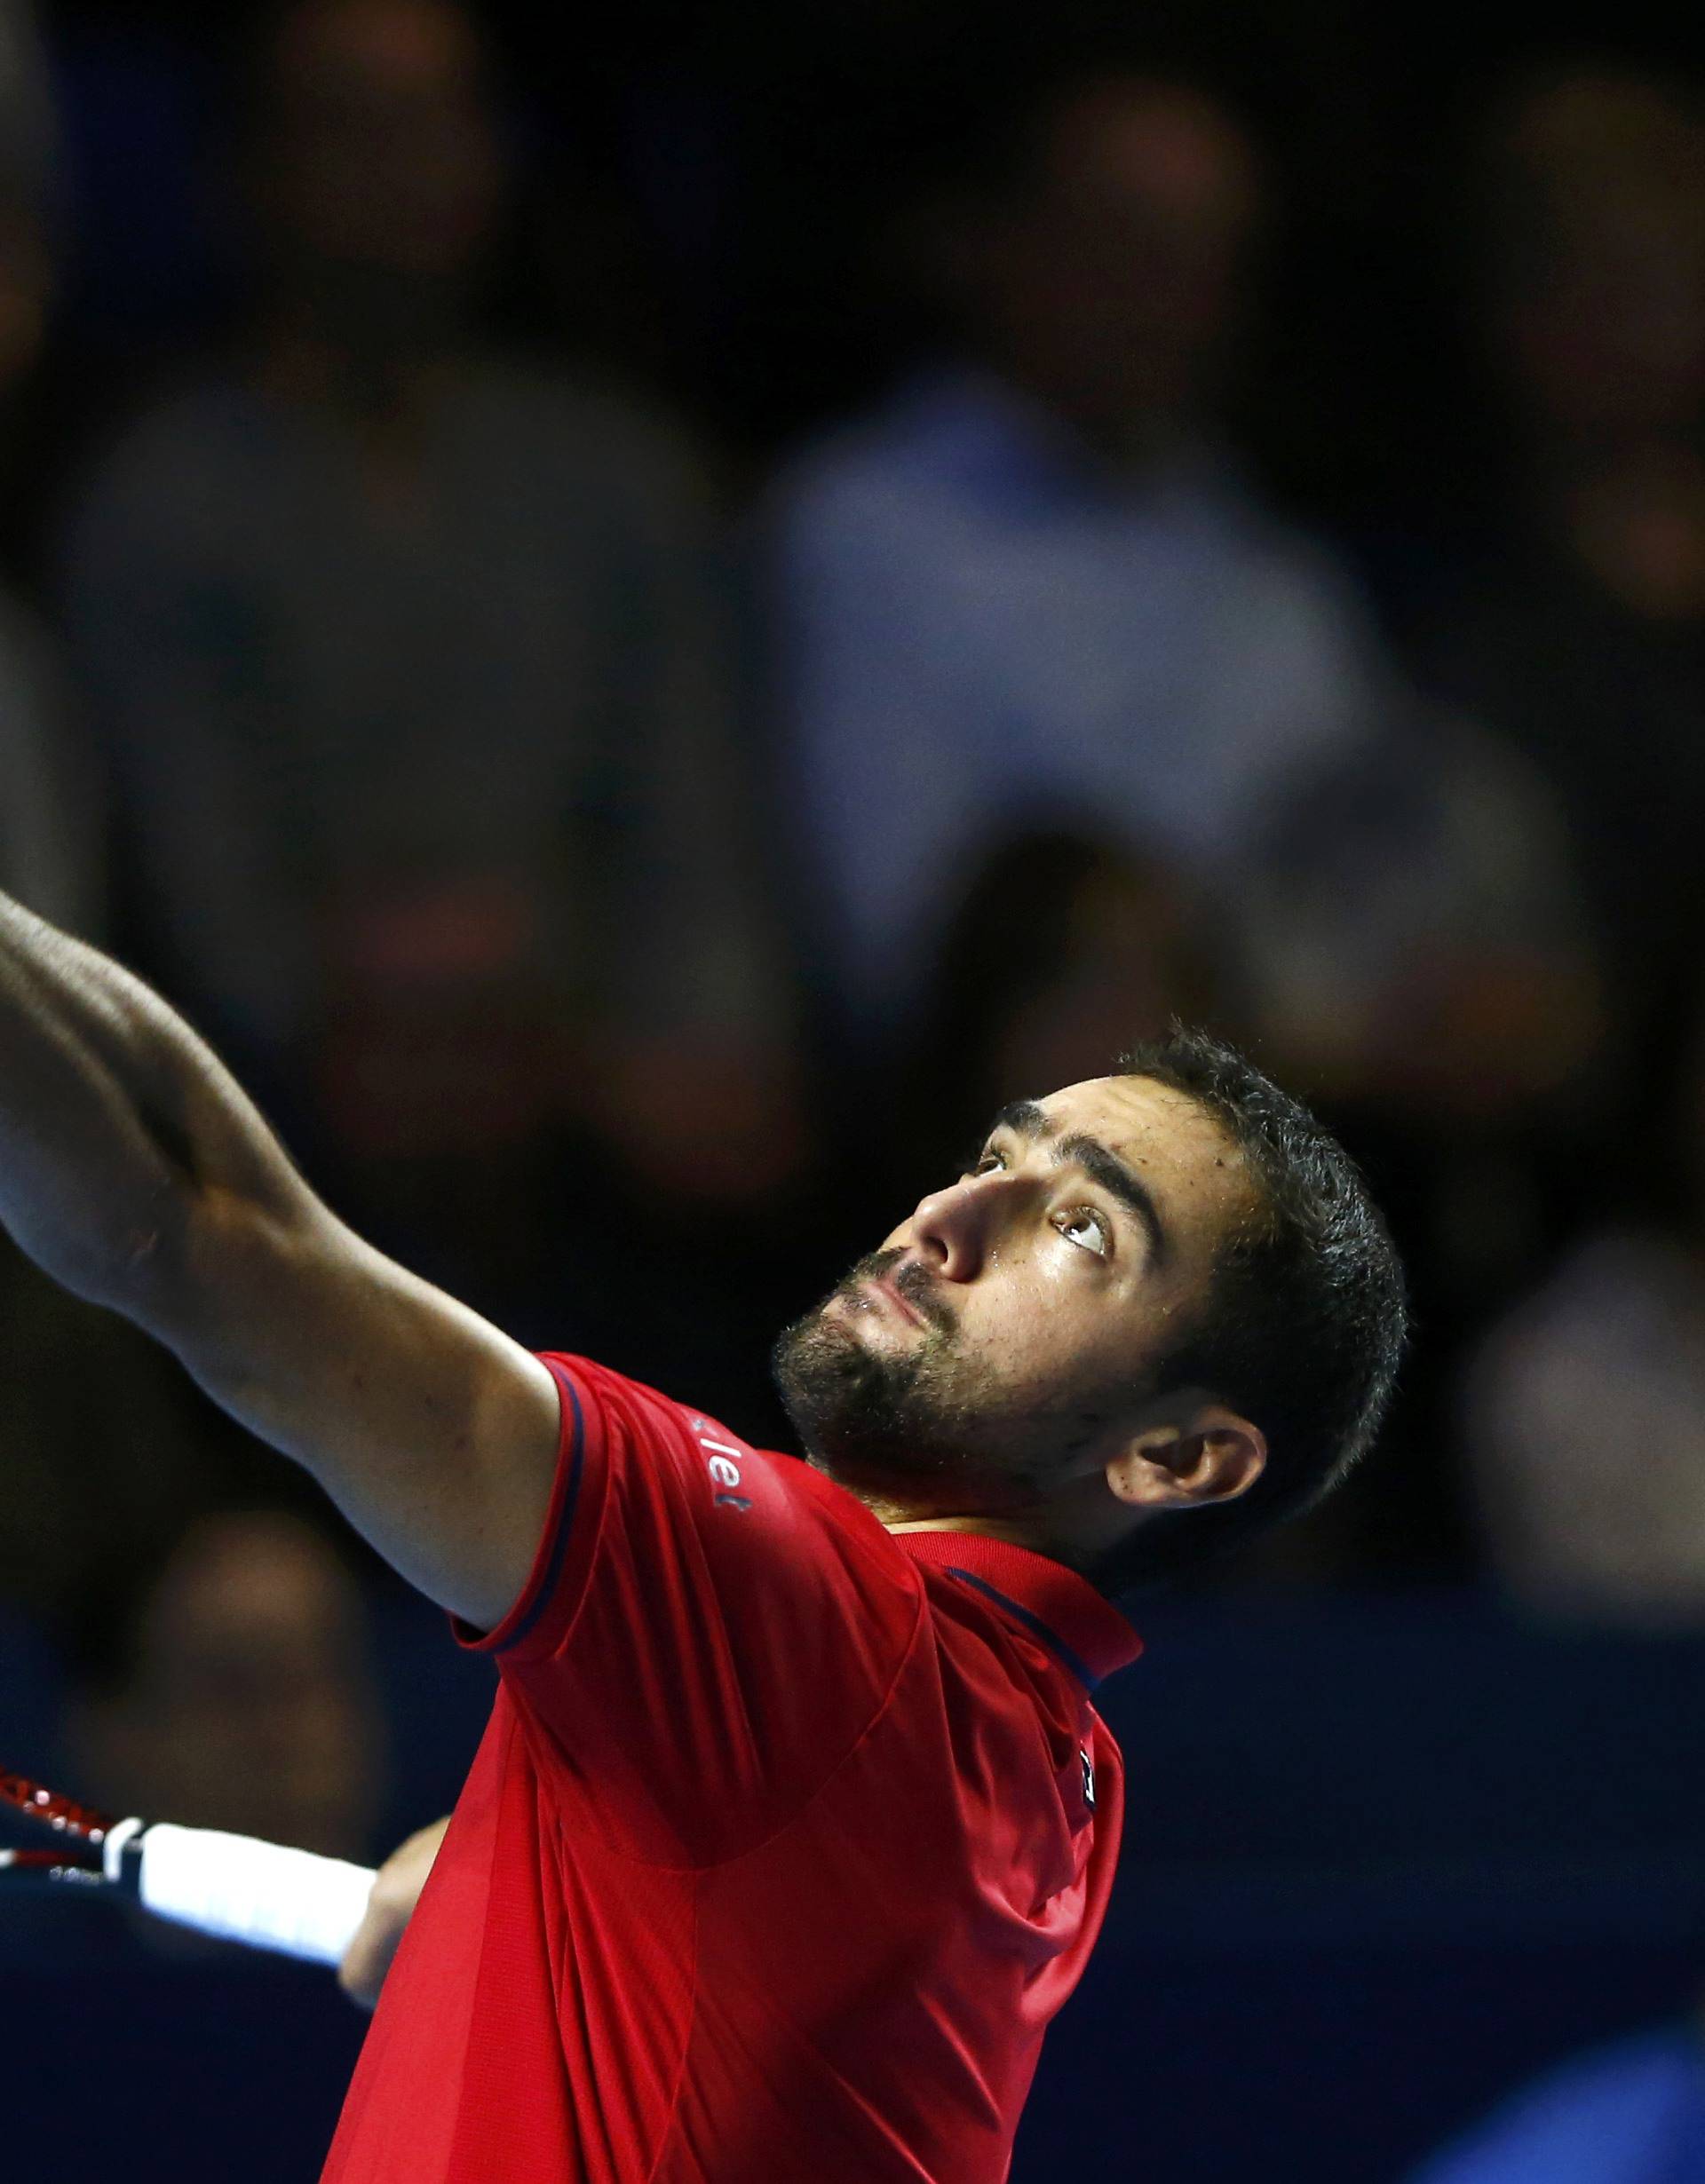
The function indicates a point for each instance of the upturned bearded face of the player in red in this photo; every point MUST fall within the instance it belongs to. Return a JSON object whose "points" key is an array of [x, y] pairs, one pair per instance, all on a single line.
{"points": [[1007, 1336]]}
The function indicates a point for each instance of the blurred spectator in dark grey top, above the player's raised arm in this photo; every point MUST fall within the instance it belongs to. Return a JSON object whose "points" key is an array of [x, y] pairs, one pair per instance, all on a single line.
{"points": [[412, 669]]}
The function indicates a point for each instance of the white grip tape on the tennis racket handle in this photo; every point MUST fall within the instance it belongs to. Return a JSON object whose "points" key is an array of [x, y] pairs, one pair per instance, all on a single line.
{"points": [[255, 1892]]}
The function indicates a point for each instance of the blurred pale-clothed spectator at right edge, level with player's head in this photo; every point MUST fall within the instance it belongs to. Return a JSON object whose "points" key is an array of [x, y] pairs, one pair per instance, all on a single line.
{"points": [[1586, 1412]]}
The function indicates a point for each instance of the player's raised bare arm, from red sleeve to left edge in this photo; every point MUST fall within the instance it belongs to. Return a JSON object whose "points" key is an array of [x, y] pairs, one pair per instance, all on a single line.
{"points": [[139, 1174]]}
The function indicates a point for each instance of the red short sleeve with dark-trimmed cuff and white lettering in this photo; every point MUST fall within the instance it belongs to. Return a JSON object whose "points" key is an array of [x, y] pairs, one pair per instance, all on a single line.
{"points": [[709, 1628]]}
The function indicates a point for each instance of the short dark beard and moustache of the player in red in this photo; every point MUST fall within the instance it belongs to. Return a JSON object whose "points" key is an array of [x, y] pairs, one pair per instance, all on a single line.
{"points": [[906, 1429]]}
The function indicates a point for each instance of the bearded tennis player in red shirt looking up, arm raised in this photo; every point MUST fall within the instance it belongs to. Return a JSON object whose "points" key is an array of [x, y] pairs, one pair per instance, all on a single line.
{"points": [[795, 1820]]}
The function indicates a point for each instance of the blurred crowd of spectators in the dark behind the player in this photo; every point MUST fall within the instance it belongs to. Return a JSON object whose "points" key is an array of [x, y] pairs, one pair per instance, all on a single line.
{"points": [[631, 833]]}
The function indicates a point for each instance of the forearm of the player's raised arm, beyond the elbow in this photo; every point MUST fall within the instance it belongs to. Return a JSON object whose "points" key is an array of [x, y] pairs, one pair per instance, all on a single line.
{"points": [[115, 1119]]}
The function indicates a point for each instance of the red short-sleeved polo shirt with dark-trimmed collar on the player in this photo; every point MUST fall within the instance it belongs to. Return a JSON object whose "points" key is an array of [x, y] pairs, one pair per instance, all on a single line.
{"points": [[784, 1844]]}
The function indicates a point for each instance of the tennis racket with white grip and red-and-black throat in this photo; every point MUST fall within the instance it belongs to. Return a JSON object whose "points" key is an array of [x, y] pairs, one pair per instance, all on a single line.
{"points": [[231, 1886]]}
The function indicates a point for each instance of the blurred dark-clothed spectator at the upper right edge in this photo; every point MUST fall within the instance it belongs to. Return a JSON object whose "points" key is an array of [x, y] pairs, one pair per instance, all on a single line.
{"points": [[1584, 634]]}
